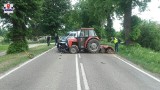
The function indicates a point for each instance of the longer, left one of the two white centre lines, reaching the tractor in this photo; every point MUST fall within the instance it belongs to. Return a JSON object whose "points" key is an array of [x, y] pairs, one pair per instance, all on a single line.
{"points": [[77, 74]]}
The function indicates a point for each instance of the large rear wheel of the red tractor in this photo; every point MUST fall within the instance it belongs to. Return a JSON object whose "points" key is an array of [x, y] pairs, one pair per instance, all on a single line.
{"points": [[93, 46]]}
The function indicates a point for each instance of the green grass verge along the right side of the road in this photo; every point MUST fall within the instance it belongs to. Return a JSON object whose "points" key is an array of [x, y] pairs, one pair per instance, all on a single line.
{"points": [[146, 58]]}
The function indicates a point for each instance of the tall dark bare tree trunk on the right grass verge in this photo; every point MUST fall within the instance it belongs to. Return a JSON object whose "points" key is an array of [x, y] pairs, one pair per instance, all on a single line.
{"points": [[127, 22]]}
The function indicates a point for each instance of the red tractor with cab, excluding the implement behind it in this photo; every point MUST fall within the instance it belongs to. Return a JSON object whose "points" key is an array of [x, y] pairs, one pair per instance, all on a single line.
{"points": [[86, 40]]}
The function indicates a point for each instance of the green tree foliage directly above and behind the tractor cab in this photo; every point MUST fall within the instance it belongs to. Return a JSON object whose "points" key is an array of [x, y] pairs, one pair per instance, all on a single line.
{"points": [[81, 15]]}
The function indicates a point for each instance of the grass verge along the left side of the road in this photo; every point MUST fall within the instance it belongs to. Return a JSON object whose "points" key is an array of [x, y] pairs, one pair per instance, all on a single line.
{"points": [[12, 60]]}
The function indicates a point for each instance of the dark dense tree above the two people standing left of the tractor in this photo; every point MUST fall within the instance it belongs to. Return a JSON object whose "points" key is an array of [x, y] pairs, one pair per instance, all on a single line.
{"points": [[53, 13]]}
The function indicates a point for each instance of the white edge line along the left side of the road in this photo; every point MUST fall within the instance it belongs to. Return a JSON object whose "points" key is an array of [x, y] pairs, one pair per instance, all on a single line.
{"points": [[3, 76]]}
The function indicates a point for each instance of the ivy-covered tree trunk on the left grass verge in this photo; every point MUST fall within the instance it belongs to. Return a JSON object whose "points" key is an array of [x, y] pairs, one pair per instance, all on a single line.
{"points": [[18, 36]]}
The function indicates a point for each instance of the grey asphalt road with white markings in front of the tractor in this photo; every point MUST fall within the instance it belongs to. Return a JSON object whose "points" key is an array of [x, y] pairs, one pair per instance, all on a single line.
{"points": [[56, 71]]}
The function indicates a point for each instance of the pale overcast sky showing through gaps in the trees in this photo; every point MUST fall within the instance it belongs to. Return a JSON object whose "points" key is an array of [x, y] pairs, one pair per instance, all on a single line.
{"points": [[152, 13]]}
